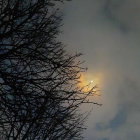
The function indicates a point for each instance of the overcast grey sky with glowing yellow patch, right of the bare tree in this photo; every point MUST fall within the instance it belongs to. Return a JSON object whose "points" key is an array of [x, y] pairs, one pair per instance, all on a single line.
{"points": [[108, 33]]}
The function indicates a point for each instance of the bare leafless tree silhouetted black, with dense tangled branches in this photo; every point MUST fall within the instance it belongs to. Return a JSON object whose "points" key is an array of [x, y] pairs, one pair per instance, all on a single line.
{"points": [[39, 92]]}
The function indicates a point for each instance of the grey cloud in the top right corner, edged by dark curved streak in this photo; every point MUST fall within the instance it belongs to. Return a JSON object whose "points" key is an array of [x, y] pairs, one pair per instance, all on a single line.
{"points": [[124, 12]]}
